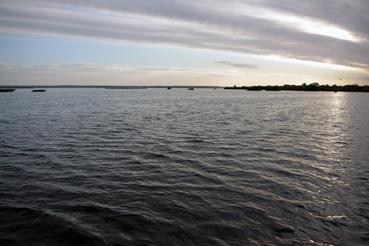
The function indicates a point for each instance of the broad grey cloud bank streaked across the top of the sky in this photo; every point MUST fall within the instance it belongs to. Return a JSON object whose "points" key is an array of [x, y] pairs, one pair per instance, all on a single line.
{"points": [[235, 25]]}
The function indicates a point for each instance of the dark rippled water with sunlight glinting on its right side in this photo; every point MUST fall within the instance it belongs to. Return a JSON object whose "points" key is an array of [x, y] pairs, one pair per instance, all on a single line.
{"points": [[178, 167]]}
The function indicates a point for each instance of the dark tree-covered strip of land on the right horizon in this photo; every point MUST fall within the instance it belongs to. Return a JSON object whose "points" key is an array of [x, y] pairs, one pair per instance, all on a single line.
{"points": [[304, 87]]}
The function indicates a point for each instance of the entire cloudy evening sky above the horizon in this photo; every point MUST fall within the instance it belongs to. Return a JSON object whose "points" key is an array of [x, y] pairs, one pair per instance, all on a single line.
{"points": [[183, 42]]}
